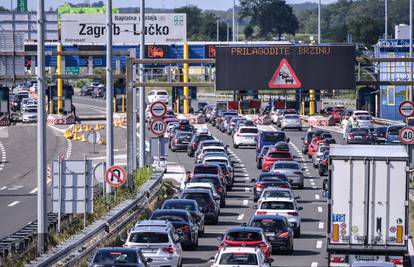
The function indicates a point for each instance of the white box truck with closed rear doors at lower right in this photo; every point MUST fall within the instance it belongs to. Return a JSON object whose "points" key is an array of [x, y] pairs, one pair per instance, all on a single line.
{"points": [[367, 193]]}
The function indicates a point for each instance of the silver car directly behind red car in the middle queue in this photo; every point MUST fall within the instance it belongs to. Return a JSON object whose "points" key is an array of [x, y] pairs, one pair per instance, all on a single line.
{"points": [[292, 171]]}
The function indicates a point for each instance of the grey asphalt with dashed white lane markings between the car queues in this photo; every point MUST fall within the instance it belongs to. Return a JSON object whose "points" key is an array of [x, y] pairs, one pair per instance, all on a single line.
{"points": [[310, 249]]}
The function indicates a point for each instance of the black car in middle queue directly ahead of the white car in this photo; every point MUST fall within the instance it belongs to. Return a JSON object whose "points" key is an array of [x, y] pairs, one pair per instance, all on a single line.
{"points": [[266, 179]]}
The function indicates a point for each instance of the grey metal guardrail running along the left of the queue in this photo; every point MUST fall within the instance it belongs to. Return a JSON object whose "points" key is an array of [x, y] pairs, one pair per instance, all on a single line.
{"points": [[78, 247]]}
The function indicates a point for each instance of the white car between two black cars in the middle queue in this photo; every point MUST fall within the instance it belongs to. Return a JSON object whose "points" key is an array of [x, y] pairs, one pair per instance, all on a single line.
{"points": [[284, 207]]}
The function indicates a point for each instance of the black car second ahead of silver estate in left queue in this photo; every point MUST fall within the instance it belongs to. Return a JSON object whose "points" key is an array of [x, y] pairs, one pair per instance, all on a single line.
{"points": [[188, 205]]}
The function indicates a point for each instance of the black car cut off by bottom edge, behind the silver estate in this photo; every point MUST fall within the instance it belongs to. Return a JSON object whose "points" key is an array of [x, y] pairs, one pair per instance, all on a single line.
{"points": [[131, 257]]}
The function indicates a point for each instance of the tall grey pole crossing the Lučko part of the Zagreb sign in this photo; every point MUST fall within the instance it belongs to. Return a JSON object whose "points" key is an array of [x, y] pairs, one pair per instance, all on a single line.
{"points": [[142, 88]]}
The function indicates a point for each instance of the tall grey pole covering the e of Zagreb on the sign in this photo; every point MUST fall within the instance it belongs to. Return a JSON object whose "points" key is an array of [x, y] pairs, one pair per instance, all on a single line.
{"points": [[109, 90]]}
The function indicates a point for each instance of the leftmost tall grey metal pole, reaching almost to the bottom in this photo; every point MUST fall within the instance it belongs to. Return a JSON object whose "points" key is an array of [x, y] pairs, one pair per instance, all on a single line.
{"points": [[42, 222]]}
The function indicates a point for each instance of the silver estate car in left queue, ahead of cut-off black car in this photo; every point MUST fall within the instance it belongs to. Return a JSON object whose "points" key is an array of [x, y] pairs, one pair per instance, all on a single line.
{"points": [[158, 241]]}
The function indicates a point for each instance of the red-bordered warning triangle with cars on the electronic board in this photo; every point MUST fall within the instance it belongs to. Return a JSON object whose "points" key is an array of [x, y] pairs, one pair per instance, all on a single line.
{"points": [[284, 77]]}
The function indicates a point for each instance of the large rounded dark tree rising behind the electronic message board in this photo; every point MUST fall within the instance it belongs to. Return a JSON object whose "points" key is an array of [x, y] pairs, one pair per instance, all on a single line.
{"points": [[273, 17]]}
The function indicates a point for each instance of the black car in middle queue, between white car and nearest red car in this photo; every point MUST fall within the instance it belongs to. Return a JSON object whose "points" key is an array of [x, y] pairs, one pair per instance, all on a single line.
{"points": [[276, 229]]}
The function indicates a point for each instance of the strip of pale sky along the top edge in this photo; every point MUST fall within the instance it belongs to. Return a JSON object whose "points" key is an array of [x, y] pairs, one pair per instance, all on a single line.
{"points": [[203, 4]]}
